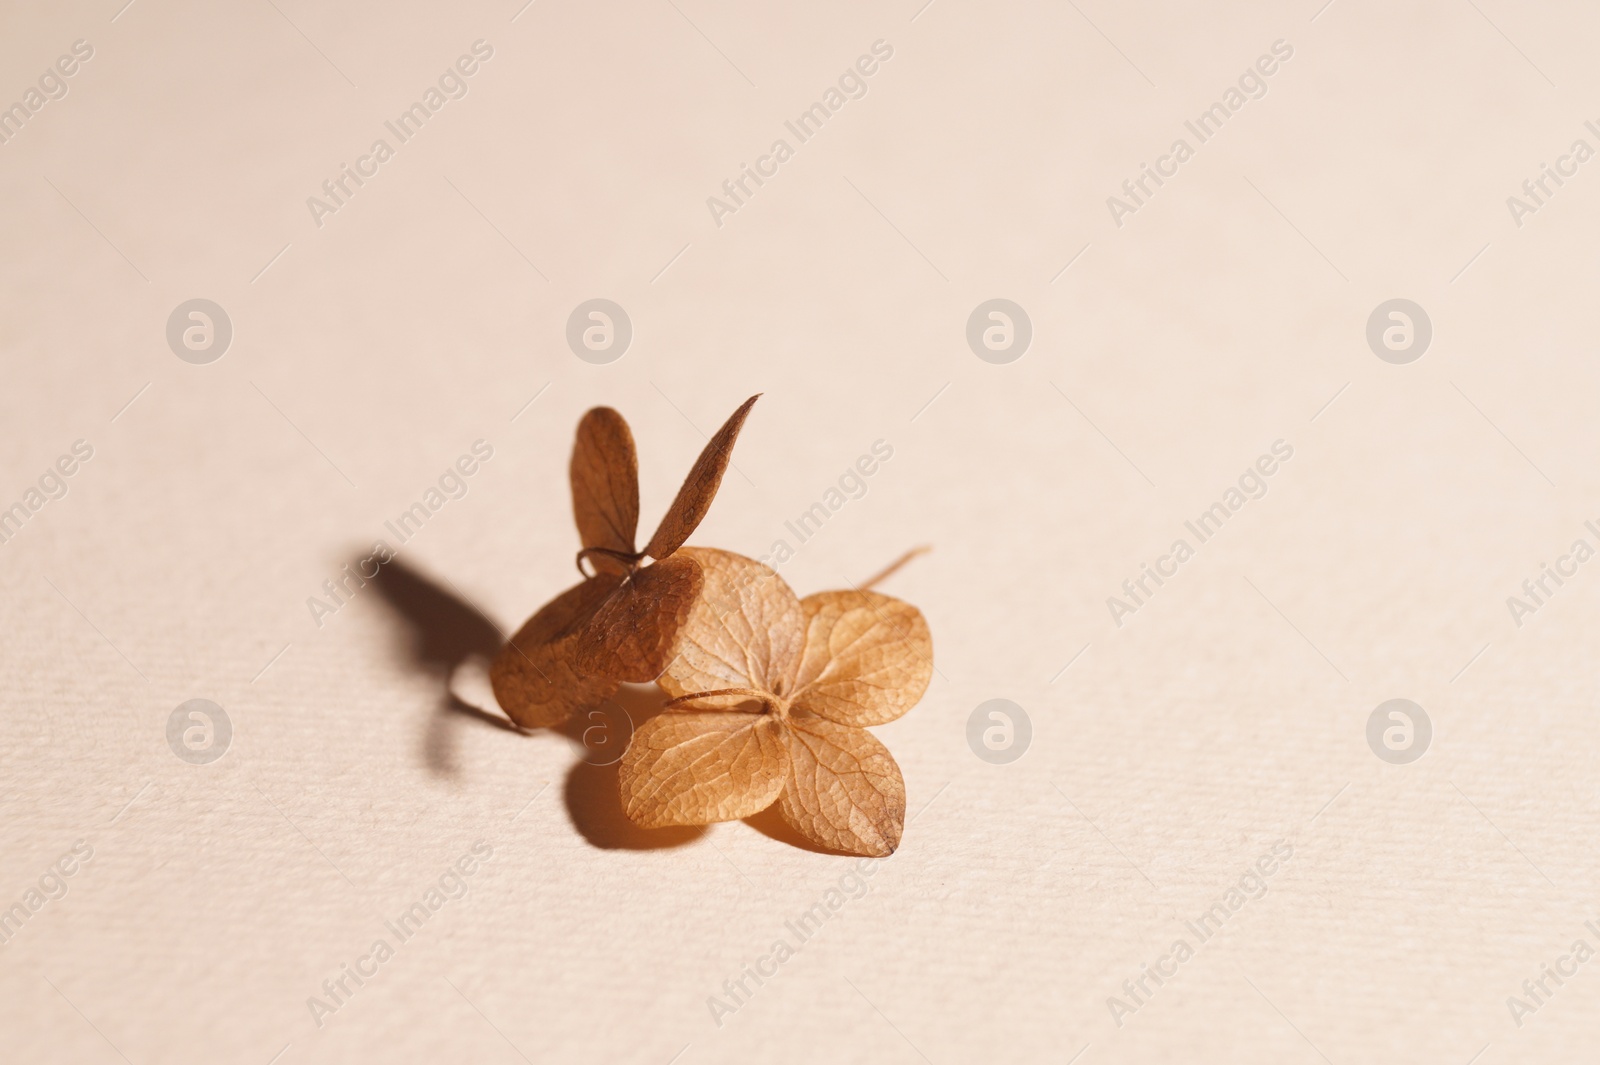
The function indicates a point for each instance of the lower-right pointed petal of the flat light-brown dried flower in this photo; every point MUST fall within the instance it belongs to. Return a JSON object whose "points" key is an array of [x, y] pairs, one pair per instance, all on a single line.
{"points": [[844, 791]]}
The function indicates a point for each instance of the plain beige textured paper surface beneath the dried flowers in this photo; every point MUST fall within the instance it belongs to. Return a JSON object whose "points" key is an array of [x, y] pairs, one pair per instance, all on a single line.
{"points": [[1175, 751]]}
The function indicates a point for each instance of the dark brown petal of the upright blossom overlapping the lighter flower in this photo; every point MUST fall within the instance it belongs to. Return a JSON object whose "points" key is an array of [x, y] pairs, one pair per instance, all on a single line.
{"points": [[636, 632]]}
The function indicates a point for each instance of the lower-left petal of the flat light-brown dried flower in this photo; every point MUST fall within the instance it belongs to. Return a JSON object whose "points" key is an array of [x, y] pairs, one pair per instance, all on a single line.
{"points": [[697, 768]]}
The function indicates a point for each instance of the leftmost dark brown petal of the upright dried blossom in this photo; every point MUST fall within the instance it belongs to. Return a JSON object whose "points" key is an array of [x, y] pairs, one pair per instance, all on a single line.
{"points": [[535, 677]]}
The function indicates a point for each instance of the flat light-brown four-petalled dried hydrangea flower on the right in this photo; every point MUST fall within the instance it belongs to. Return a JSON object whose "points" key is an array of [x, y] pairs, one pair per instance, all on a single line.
{"points": [[772, 700]]}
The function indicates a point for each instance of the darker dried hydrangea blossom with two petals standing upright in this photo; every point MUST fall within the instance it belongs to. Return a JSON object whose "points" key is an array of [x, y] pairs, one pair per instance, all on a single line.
{"points": [[623, 623]]}
